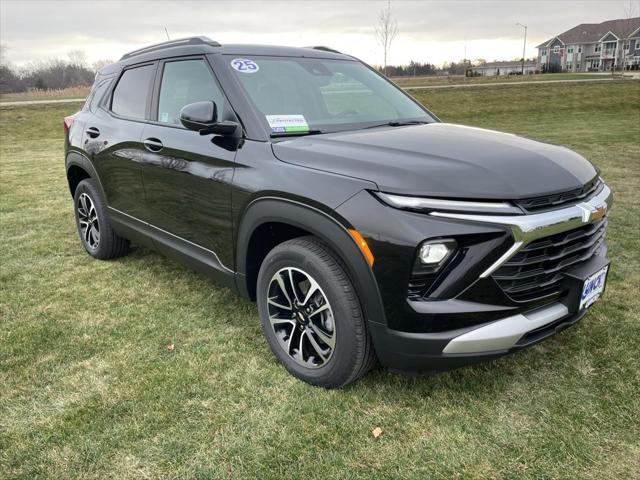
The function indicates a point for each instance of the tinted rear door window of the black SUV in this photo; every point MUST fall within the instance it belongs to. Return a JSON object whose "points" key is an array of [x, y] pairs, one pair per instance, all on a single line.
{"points": [[130, 95]]}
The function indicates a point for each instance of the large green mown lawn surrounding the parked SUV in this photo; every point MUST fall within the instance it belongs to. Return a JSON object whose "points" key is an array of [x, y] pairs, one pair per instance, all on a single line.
{"points": [[90, 390]]}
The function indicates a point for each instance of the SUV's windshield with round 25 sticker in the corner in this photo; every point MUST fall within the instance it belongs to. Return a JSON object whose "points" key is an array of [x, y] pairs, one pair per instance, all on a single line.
{"points": [[310, 95]]}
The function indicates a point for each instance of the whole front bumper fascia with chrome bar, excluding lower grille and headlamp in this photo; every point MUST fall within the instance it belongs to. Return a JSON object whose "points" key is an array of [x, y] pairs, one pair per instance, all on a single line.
{"points": [[472, 320]]}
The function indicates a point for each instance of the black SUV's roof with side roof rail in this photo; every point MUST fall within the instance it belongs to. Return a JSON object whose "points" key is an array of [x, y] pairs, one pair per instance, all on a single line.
{"points": [[204, 45]]}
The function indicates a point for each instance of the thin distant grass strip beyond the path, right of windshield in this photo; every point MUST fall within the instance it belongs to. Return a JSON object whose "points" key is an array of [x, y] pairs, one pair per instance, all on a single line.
{"points": [[435, 80]]}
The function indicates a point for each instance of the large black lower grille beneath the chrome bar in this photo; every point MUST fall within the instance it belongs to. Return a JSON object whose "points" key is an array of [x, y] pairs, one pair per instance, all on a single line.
{"points": [[538, 269]]}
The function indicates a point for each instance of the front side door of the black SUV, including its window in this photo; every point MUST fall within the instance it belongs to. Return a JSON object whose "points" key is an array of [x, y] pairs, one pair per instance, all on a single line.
{"points": [[187, 177]]}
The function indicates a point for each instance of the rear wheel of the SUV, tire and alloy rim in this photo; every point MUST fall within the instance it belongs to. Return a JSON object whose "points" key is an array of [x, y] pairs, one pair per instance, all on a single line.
{"points": [[94, 229]]}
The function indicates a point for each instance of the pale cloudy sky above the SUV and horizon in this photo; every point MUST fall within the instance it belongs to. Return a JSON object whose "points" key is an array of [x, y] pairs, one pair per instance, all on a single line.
{"points": [[429, 31]]}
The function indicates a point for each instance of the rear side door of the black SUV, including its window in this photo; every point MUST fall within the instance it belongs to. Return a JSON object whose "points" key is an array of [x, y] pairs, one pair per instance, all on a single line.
{"points": [[112, 139]]}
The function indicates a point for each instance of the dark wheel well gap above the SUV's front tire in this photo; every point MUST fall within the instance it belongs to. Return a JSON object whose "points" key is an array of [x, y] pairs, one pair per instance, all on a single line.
{"points": [[263, 240]]}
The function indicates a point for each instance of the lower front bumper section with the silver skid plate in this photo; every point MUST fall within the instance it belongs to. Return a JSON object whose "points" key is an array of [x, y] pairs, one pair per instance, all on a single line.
{"points": [[438, 351]]}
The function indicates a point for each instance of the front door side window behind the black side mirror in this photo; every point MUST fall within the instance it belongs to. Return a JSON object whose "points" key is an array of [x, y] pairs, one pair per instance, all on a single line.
{"points": [[184, 82]]}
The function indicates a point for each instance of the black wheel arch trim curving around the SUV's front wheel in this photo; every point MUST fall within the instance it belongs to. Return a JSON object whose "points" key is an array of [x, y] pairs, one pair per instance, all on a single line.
{"points": [[322, 225]]}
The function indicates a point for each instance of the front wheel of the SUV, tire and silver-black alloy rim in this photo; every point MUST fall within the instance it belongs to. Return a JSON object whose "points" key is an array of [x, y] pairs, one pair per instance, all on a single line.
{"points": [[329, 326]]}
